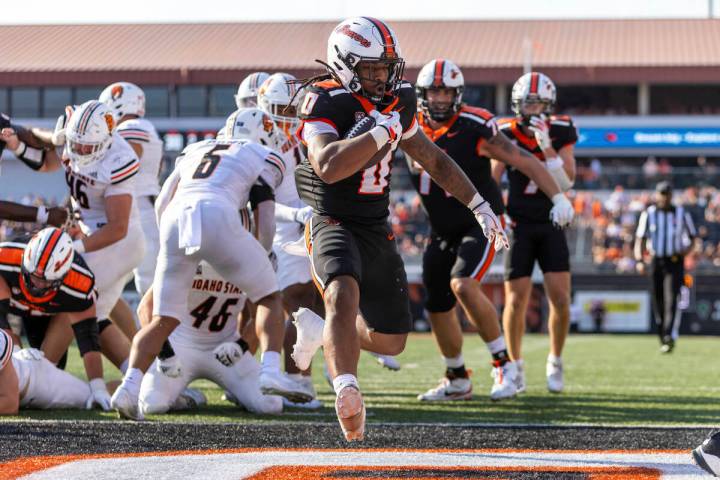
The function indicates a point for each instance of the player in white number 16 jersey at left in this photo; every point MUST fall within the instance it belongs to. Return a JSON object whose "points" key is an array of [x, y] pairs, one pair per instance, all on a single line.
{"points": [[100, 169]]}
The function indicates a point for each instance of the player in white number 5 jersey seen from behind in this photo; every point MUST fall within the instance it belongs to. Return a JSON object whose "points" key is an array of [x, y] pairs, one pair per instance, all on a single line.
{"points": [[198, 212]]}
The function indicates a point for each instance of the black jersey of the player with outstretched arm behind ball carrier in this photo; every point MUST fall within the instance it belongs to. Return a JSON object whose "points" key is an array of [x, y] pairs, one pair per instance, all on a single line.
{"points": [[461, 138]]}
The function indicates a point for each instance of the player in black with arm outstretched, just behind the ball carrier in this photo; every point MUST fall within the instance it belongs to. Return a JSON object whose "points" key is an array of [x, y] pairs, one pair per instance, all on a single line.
{"points": [[457, 254]]}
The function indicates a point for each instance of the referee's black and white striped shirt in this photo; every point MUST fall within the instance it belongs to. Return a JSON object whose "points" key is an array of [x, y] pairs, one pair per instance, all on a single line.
{"points": [[669, 232]]}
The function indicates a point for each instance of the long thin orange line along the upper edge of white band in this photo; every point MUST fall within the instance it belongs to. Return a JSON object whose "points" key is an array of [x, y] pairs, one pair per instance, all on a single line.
{"points": [[26, 465]]}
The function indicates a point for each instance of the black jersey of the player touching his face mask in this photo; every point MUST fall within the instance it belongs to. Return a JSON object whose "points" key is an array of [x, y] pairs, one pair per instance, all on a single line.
{"points": [[526, 202]]}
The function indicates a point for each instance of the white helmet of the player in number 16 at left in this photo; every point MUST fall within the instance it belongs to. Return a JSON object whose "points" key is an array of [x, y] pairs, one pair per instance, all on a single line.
{"points": [[88, 134]]}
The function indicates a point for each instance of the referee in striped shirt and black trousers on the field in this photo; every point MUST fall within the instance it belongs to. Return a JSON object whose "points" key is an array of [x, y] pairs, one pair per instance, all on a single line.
{"points": [[666, 232]]}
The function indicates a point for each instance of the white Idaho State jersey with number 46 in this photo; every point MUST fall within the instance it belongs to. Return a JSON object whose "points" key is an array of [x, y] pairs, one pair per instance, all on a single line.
{"points": [[213, 309]]}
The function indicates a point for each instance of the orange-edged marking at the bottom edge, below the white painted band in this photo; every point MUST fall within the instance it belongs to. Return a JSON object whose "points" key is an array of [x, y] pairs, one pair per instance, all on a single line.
{"points": [[425, 473]]}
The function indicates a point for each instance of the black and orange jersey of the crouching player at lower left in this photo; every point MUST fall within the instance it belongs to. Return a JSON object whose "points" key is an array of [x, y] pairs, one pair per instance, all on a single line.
{"points": [[76, 294]]}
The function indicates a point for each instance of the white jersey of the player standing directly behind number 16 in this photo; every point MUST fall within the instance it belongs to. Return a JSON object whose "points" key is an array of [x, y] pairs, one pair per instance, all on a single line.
{"points": [[141, 131]]}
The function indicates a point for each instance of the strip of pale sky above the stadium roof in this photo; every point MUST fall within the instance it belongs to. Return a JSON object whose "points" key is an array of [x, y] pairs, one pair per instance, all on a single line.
{"points": [[164, 11]]}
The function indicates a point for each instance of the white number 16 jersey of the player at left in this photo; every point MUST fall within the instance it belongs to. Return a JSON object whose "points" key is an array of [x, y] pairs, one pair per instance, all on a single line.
{"points": [[89, 185]]}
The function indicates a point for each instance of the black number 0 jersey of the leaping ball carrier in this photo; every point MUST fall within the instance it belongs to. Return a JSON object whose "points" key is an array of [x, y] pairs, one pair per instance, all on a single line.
{"points": [[364, 196]]}
